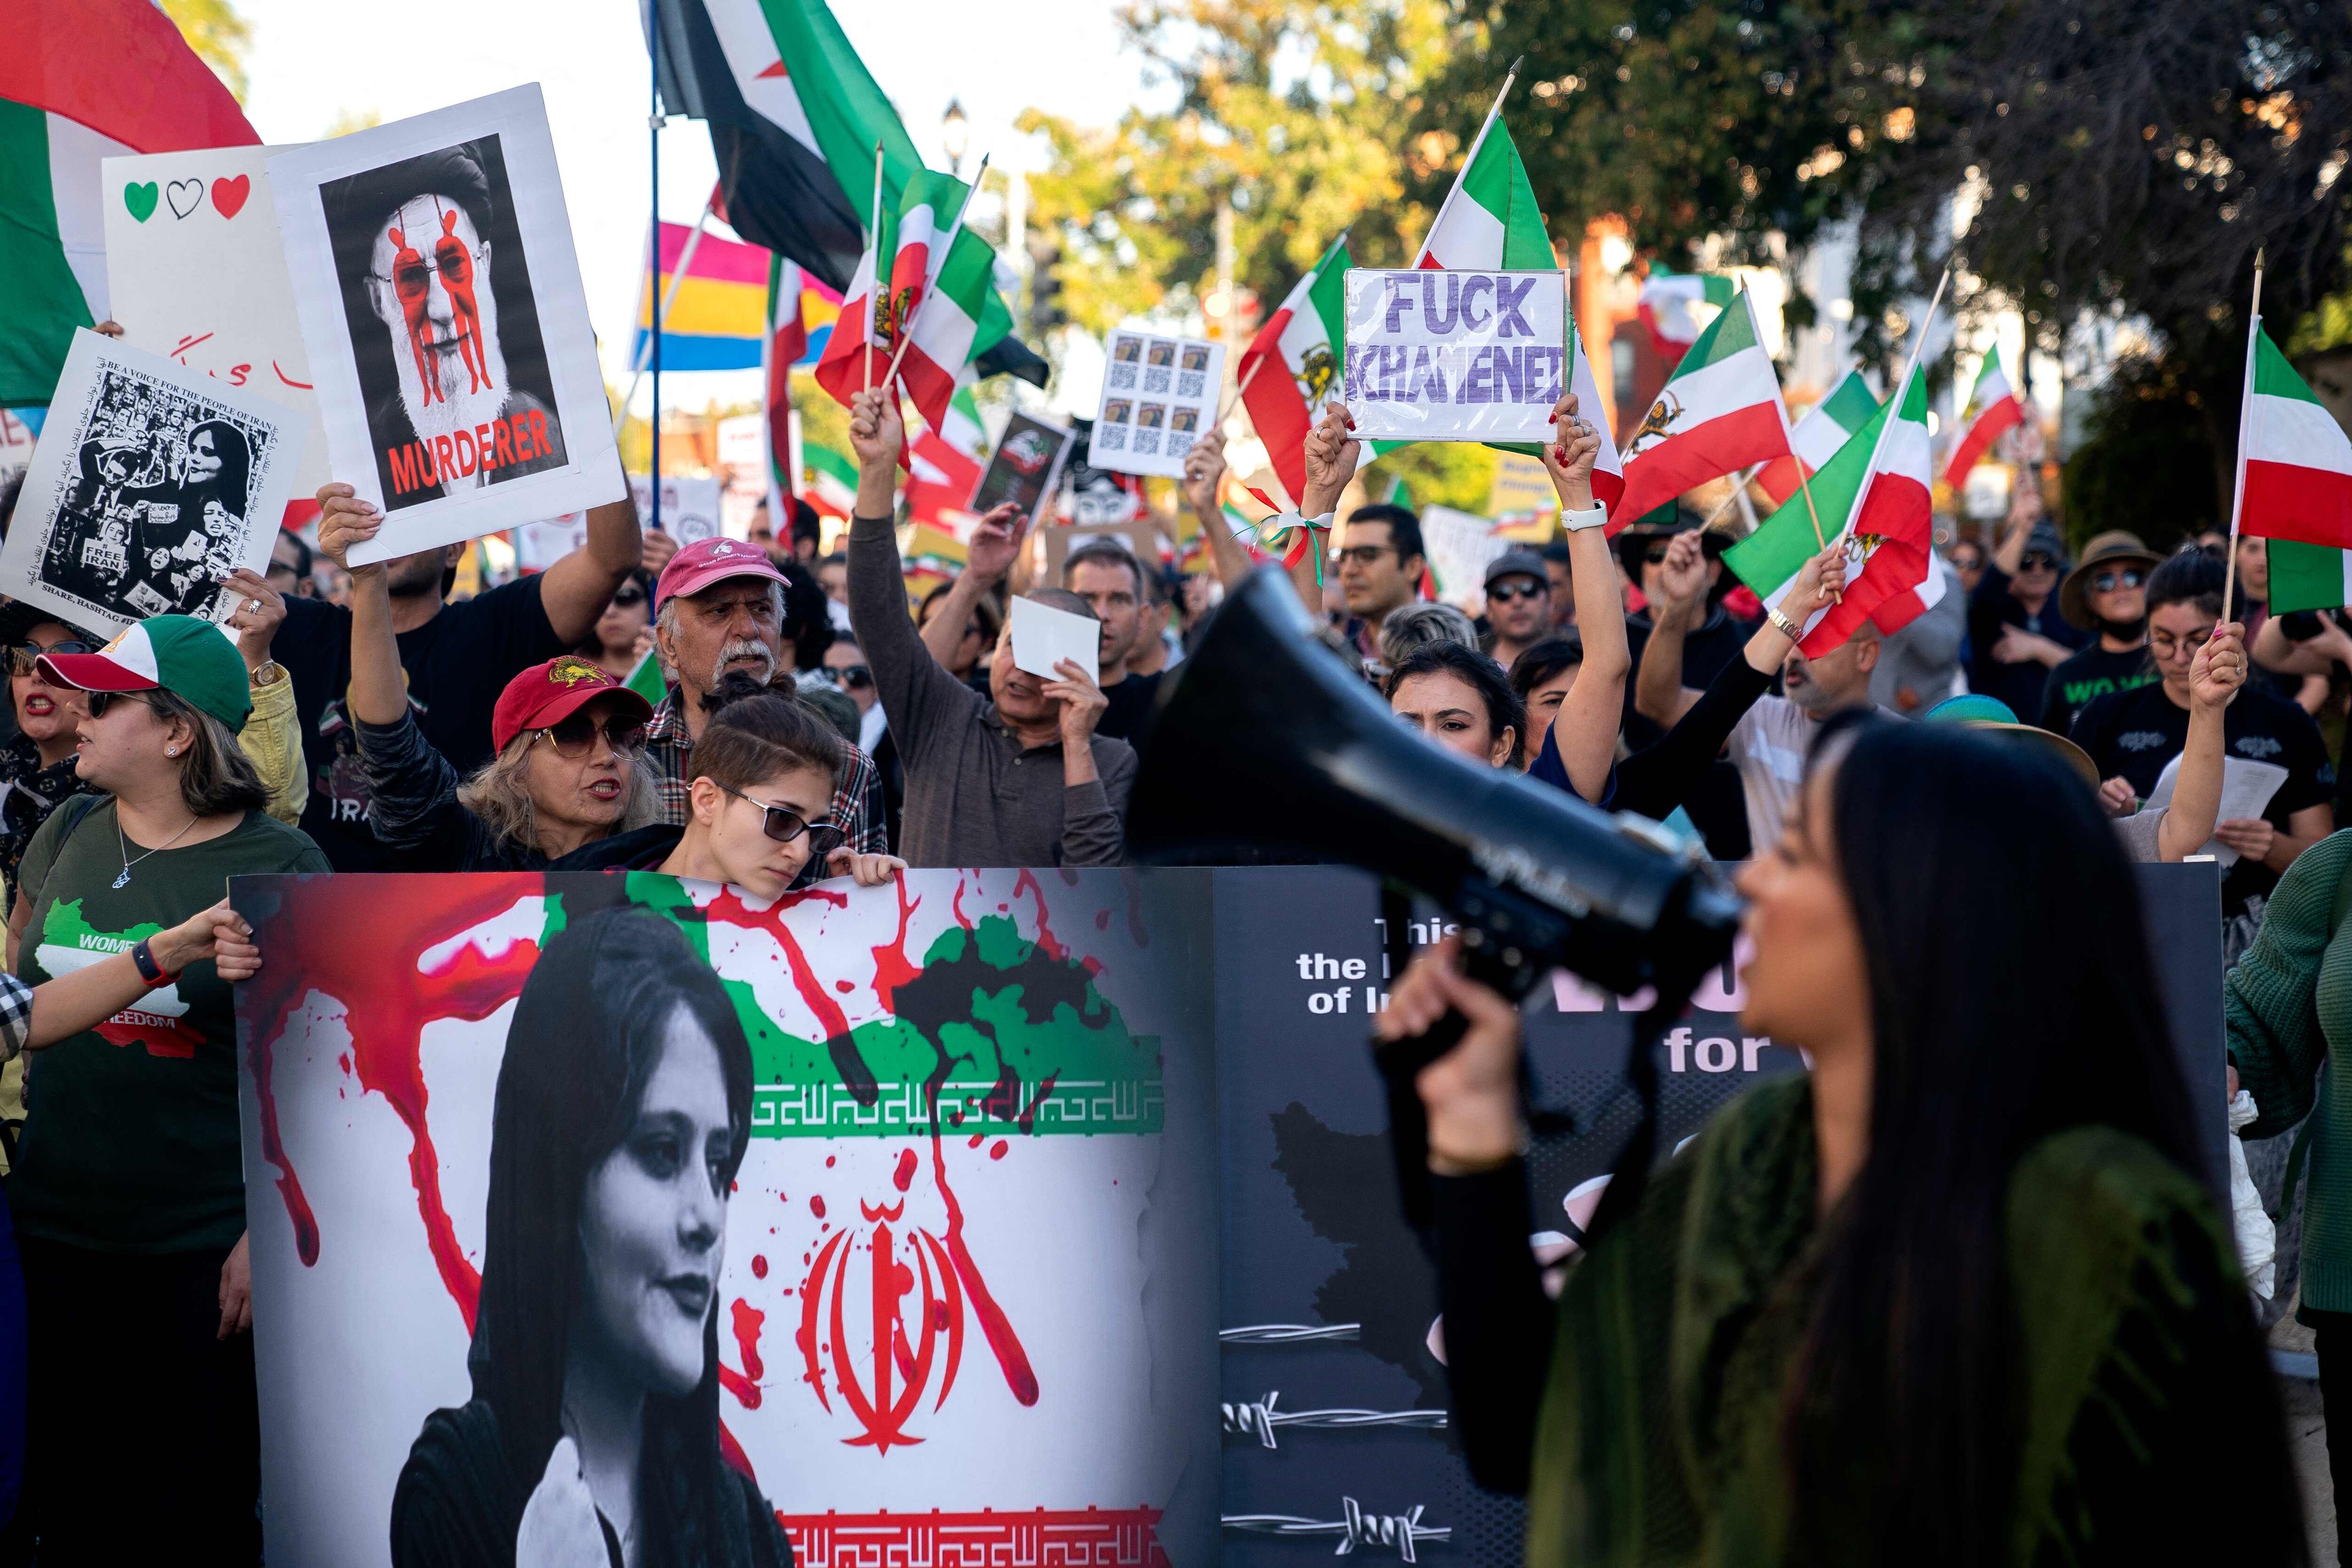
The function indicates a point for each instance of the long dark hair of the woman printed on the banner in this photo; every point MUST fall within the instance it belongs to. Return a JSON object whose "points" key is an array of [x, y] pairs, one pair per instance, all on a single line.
{"points": [[584, 1043]]}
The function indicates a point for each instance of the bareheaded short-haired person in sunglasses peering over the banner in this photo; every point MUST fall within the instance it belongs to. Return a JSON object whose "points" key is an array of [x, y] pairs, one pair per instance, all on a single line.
{"points": [[759, 810]]}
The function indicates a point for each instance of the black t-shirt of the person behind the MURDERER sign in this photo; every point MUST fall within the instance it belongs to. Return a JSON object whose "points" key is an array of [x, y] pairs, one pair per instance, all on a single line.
{"points": [[457, 666]]}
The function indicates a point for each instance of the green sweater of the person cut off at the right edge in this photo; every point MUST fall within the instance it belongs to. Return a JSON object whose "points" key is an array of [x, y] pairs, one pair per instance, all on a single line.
{"points": [[2290, 1007]]}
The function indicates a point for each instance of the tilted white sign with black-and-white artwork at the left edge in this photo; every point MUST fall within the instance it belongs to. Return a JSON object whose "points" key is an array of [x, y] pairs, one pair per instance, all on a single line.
{"points": [[152, 483]]}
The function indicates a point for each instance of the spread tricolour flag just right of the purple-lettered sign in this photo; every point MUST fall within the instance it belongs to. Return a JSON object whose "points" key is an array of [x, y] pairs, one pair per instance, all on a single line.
{"points": [[1716, 415]]}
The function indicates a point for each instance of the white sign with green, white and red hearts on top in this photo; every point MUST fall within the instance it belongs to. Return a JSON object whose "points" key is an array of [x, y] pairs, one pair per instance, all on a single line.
{"points": [[196, 274]]}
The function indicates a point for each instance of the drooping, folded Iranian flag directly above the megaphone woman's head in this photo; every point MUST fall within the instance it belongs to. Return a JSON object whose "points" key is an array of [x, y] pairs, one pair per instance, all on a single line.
{"points": [[1876, 492]]}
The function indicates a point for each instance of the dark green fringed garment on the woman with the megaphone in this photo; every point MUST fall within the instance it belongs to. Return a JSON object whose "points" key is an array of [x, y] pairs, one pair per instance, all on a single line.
{"points": [[1659, 1433]]}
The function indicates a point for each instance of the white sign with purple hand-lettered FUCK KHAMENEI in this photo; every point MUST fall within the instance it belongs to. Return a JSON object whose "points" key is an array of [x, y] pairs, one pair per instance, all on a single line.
{"points": [[1455, 356]]}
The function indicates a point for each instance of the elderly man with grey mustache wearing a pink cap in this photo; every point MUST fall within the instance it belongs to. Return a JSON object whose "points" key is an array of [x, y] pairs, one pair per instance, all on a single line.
{"points": [[719, 608]]}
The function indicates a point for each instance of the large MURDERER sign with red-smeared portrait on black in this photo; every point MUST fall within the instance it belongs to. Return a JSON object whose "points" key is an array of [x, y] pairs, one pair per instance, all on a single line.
{"points": [[446, 323]]}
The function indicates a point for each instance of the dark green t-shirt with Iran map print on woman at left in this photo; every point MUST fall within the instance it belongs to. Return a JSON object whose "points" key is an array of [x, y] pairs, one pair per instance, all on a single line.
{"points": [[131, 1139]]}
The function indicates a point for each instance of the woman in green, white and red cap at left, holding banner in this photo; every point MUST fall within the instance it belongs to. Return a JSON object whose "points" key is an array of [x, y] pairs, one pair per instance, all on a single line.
{"points": [[131, 1184]]}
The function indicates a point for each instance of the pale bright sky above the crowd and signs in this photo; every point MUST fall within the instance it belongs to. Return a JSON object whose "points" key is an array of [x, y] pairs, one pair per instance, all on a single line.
{"points": [[319, 60]]}
